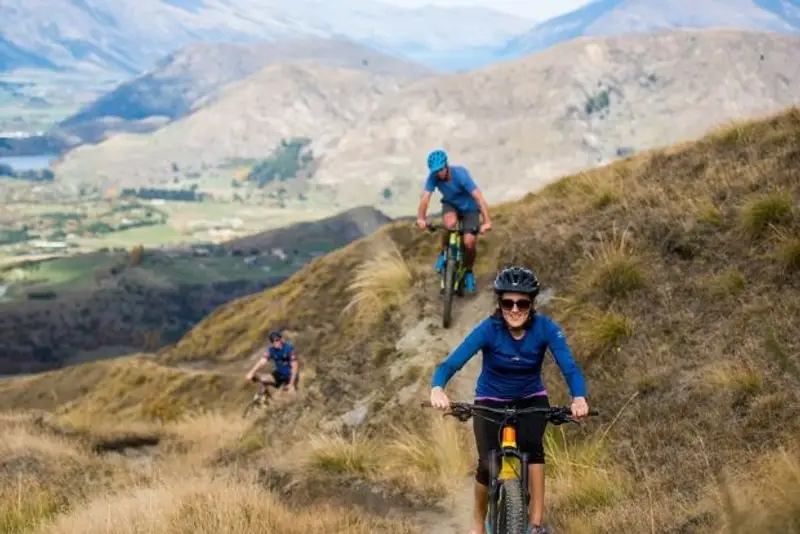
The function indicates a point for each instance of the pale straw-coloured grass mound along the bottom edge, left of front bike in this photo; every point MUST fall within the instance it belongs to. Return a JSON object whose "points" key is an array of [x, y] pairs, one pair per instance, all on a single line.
{"points": [[210, 506]]}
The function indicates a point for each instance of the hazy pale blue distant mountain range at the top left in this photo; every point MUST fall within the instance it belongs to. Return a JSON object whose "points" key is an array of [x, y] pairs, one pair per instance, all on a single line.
{"points": [[131, 35]]}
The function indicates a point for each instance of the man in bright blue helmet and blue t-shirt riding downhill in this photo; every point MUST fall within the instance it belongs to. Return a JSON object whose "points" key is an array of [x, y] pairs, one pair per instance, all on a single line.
{"points": [[461, 199]]}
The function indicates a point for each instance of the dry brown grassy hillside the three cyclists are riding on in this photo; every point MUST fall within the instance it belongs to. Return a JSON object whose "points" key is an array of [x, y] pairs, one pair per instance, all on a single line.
{"points": [[674, 273]]}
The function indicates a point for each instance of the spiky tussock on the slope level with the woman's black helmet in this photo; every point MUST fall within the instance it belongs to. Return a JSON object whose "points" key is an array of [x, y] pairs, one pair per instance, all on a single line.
{"points": [[614, 269]]}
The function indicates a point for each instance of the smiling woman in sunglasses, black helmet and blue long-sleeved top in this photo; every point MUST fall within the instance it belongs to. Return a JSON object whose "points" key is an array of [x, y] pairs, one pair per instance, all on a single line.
{"points": [[513, 341]]}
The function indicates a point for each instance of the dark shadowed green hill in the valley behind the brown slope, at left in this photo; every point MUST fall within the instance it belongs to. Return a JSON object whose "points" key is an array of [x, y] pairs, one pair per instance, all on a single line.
{"points": [[100, 305]]}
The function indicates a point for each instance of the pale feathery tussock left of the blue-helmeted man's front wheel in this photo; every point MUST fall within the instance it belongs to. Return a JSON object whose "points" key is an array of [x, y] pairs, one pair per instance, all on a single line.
{"points": [[379, 283]]}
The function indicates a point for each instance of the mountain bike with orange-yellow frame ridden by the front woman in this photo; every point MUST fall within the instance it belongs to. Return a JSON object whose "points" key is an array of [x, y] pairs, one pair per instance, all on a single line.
{"points": [[508, 492]]}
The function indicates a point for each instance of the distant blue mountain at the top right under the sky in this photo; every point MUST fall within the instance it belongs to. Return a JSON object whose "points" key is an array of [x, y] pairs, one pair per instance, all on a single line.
{"points": [[619, 17]]}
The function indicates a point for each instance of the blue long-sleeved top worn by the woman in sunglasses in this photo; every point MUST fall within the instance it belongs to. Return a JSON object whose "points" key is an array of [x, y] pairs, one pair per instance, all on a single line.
{"points": [[512, 369]]}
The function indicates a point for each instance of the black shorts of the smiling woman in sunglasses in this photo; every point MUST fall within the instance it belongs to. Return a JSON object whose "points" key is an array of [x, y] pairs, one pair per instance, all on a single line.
{"points": [[530, 432]]}
